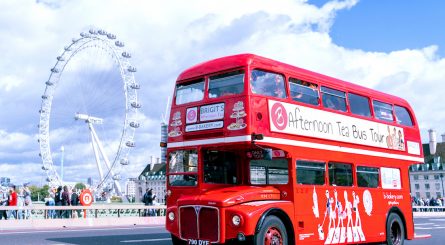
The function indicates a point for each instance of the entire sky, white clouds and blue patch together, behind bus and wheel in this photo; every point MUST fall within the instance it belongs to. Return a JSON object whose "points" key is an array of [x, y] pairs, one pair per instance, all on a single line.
{"points": [[393, 46]]}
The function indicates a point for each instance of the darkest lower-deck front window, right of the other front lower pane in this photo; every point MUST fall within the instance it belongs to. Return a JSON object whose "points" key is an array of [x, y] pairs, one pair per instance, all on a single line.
{"points": [[219, 167]]}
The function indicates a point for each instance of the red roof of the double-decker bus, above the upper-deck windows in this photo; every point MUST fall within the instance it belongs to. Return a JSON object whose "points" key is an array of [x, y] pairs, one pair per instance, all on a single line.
{"points": [[242, 60]]}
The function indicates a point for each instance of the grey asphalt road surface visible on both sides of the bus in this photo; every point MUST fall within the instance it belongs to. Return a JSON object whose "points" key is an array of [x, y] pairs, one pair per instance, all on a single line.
{"points": [[157, 235]]}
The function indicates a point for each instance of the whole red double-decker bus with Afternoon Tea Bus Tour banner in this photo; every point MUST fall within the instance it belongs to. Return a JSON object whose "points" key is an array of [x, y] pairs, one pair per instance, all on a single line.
{"points": [[267, 153]]}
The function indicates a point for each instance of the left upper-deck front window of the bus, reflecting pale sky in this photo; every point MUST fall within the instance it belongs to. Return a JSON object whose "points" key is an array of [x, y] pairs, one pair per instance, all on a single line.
{"points": [[190, 92]]}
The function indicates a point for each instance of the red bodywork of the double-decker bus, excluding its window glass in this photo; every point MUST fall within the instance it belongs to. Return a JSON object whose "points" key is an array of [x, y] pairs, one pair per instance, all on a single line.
{"points": [[310, 214]]}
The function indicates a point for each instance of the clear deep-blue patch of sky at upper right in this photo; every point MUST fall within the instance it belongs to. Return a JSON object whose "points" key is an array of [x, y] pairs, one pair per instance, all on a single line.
{"points": [[385, 26]]}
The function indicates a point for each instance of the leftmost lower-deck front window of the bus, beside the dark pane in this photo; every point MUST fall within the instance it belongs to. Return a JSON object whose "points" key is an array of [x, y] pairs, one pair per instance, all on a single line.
{"points": [[183, 166]]}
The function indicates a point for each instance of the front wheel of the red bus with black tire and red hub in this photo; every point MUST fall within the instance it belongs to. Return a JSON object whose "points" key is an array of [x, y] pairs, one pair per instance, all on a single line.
{"points": [[272, 231]]}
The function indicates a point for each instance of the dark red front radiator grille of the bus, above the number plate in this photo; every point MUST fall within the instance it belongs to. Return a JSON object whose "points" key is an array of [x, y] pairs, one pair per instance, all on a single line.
{"points": [[199, 222]]}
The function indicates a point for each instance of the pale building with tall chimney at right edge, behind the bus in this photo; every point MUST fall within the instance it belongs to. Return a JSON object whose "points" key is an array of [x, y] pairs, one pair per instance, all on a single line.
{"points": [[427, 180]]}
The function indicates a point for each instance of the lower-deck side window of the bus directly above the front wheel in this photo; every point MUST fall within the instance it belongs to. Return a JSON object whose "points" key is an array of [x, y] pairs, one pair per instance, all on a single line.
{"points": [[264, 172]]}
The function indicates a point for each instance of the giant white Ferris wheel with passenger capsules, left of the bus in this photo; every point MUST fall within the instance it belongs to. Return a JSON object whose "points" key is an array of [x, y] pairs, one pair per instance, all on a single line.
{"points": [[89, 111]]}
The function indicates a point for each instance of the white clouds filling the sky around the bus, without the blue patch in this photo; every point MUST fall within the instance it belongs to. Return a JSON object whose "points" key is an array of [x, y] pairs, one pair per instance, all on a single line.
{"points": [[166, 37]]}
